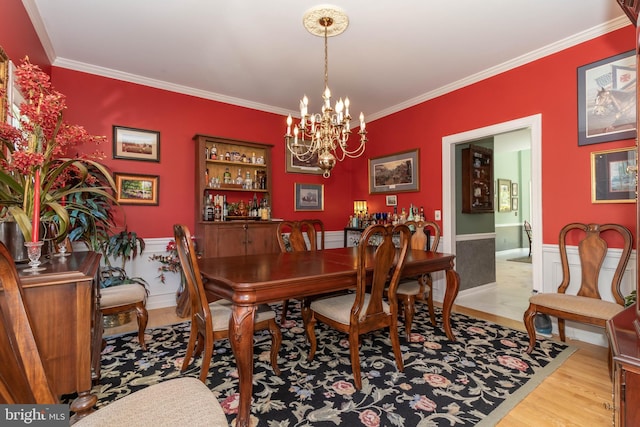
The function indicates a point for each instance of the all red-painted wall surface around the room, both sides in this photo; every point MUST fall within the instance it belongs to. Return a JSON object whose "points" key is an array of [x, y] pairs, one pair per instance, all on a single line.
{"points": [[547, 86]]}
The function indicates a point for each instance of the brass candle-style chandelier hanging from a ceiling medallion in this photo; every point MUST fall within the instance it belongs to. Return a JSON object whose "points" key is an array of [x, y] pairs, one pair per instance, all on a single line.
{"points": [[324, 135]]}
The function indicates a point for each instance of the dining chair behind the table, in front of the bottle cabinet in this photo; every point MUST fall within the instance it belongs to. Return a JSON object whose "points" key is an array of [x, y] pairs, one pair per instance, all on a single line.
{"points": [[296, 236]]}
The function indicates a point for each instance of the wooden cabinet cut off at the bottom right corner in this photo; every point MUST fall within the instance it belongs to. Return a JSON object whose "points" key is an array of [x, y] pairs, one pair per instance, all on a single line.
{"points": [[625, 347]]}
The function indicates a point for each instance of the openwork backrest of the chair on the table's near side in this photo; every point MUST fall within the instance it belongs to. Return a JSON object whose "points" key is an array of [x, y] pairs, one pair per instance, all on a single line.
{"points": [[387, 267]]}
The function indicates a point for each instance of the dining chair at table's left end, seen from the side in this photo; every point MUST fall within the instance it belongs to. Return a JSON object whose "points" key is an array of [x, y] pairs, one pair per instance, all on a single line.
{"points": [[210, 321]]}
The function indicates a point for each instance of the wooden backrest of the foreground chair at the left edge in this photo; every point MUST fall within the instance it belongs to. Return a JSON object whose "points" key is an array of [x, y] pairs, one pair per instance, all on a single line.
{"points": [[22, 374]]}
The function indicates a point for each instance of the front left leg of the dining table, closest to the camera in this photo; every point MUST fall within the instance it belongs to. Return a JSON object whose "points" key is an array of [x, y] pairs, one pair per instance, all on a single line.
{"points": [[241, 339]]}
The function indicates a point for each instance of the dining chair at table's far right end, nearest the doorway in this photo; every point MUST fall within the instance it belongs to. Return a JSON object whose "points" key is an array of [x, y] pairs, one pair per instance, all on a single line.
{"points": [[414, 289]]}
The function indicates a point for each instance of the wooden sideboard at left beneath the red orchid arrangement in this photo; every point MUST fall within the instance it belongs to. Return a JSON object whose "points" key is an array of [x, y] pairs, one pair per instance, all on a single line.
{"points": [[63, 303]]}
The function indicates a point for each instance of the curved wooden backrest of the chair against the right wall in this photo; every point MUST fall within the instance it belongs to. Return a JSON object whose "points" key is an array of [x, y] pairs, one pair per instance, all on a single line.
{"points": [[592, 250]]}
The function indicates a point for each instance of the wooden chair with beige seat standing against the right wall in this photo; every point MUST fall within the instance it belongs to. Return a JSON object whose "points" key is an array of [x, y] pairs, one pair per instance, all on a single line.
{"points": [[584, 304]]}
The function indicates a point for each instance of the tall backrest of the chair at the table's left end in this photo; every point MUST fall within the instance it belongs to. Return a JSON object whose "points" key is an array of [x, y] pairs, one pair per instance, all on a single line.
{"points": [[191, 271]]}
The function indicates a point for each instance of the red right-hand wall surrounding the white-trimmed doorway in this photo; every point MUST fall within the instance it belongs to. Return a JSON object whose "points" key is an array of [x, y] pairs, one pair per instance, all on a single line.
{"points": [[547, 86]]}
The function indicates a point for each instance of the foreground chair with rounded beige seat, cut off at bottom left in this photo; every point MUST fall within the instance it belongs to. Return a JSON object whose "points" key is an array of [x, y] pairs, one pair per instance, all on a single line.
{"points": [[24, 380]]}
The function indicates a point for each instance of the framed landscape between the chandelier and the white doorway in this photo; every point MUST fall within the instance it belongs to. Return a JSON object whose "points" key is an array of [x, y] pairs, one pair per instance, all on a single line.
{"points": [[394, 173]]}
